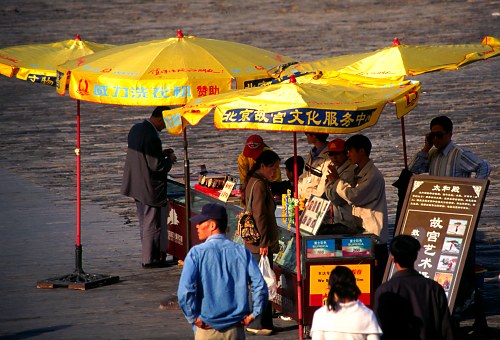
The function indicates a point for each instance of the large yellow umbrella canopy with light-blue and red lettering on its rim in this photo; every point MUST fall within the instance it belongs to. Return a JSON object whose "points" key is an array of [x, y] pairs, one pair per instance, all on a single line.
{"points": [[166, 72]]}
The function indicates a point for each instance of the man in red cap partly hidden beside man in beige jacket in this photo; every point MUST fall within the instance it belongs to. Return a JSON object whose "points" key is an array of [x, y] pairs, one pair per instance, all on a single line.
{"points": [[342, 210]]}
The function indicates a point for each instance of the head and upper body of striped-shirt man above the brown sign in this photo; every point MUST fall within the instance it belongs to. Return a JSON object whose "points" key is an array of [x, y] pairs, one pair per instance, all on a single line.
{"points": [[447, 158]]}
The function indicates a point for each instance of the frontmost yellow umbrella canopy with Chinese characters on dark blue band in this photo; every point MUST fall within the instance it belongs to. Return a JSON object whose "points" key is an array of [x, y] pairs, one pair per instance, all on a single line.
{"points": [[338, 104]]}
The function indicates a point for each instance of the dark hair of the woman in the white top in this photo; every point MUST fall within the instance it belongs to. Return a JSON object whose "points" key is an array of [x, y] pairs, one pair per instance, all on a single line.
{"points": [[343, 283]]}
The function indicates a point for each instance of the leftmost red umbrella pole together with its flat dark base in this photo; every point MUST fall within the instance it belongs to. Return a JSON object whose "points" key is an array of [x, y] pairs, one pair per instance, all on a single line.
{"points": [[78, 279]]}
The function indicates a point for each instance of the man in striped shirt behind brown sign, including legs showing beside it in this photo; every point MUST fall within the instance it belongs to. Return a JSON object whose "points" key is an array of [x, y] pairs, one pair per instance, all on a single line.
{"points": [[449, 159]]}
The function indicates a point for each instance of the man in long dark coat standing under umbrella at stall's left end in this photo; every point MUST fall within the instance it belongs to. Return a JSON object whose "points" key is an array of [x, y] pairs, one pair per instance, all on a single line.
{"points": [[145, 180]]}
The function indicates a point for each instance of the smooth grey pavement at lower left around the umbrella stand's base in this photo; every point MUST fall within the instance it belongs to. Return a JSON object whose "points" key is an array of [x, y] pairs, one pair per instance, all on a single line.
{"points": [[37, 243]]}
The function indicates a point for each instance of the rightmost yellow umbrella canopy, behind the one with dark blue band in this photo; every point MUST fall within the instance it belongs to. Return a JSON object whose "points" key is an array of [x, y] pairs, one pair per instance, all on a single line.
{"points": [[399, 60]]}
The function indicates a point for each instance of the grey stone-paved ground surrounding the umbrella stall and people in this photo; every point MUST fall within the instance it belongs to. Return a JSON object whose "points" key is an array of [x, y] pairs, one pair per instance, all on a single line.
{"points": [[37, 138]]}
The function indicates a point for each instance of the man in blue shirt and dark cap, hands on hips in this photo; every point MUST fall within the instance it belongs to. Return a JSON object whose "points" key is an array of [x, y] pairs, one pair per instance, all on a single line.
{"points": [[213, 288]]}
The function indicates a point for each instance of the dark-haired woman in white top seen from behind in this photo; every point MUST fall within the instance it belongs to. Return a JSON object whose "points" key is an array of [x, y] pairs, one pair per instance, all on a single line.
{"points": [[344, 316]]}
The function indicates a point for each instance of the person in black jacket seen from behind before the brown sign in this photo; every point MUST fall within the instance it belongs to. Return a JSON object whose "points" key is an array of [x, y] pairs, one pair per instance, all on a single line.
{"points": [[409, 305]]}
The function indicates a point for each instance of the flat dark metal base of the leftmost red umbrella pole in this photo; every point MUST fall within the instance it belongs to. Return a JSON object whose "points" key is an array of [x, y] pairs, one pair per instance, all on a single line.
{"points": [[78, 279]]}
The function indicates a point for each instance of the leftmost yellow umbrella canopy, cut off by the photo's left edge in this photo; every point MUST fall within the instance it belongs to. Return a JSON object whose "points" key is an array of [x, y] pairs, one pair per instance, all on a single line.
{"points": [[37, 62]]}
